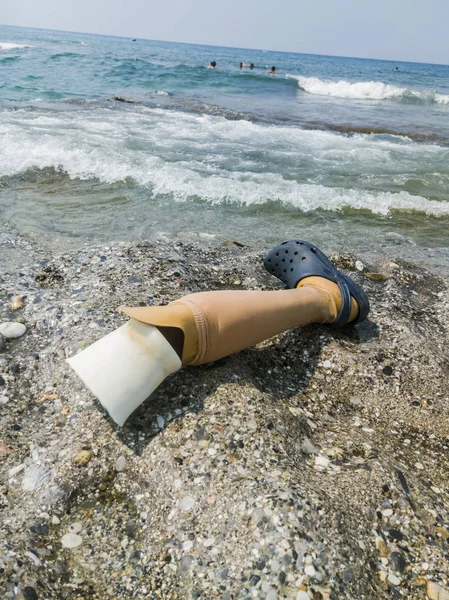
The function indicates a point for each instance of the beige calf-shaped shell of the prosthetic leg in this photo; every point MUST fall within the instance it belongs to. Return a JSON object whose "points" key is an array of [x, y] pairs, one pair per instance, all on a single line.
{"points": [[216, 324]]}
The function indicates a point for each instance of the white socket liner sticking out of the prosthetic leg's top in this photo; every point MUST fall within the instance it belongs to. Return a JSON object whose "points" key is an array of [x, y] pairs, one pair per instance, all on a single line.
{"points": [[123, 368]]}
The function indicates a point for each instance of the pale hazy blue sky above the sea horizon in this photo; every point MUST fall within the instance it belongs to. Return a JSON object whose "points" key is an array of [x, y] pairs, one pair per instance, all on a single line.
{"points": [[410, 30]]}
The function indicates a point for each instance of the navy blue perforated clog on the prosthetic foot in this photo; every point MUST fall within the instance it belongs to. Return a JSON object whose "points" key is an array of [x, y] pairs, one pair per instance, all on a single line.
{"points": [[295, 260]]}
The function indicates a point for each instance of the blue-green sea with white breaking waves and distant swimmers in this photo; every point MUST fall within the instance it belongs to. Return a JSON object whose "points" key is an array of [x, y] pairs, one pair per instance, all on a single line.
{"points": [[106, 139]]}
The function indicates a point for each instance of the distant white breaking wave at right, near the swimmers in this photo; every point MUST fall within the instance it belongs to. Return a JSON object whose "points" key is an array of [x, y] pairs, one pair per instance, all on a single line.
{"points": [[368, 90]]}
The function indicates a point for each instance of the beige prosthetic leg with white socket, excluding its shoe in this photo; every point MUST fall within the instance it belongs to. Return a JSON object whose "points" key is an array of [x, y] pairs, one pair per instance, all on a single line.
{"points": [[126, 366]]}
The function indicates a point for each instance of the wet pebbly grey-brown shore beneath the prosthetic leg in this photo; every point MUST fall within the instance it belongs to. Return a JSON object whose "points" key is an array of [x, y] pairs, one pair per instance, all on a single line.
{"points": [[315, 463]]}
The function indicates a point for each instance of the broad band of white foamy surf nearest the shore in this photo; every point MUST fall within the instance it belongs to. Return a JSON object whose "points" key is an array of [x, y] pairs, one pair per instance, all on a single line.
{"points": [[188, 156]]}
